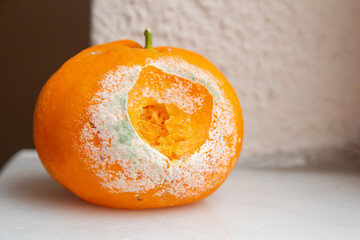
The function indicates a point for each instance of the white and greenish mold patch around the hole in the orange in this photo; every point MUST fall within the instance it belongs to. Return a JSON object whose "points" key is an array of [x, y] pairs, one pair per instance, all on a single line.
{"points": [[124, 162]]}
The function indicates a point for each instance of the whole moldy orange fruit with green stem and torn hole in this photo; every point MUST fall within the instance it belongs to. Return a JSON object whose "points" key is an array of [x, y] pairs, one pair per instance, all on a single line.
{"points": [[124, 126]]}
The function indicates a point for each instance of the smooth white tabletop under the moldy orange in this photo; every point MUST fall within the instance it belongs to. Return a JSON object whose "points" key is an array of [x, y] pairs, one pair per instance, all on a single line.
{"points": [[252, 204]]}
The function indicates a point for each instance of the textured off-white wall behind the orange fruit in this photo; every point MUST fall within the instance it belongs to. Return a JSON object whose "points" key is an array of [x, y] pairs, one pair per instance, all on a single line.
{"points": [[295, 65]]}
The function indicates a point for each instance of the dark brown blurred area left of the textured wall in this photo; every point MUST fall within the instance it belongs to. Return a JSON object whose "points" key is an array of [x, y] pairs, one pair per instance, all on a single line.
{"points": [[36, 38]]}
